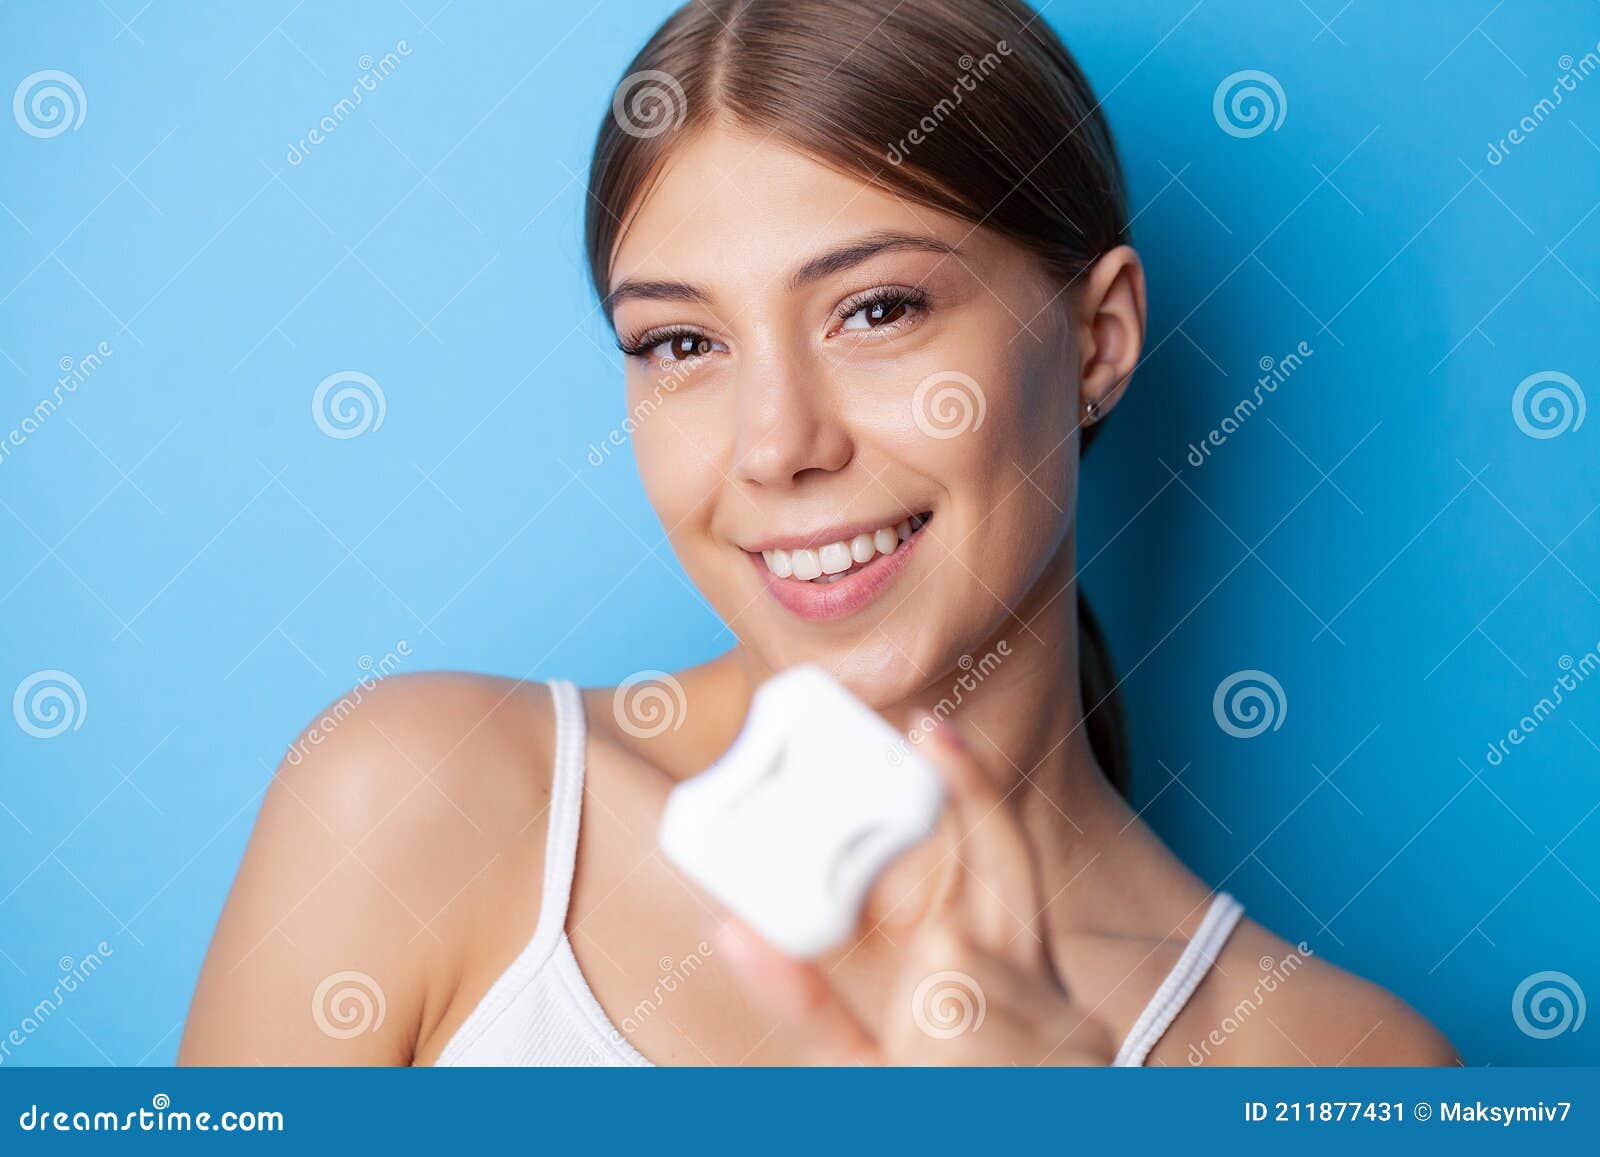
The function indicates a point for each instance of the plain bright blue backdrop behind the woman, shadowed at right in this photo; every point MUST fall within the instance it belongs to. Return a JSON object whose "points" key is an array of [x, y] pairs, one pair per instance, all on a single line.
{"points": [[1382, 537]]}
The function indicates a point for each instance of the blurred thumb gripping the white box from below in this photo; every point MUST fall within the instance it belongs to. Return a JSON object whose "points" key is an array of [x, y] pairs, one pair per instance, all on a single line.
{"points": [[799, 993]]}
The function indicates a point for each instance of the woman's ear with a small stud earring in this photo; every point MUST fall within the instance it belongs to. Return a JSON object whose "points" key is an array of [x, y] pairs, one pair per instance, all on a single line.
{"points": [[1110, 319]]}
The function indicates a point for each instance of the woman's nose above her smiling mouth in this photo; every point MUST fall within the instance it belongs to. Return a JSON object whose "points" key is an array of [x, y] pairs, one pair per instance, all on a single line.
{"points": [[790, 423]]}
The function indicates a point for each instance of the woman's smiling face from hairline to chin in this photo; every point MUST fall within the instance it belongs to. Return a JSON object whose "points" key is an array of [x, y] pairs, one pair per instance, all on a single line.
{"points": [[818, 366]]}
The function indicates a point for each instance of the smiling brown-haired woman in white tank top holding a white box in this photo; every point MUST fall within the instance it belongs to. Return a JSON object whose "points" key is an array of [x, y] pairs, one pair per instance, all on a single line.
{"points": [[870, 270]]}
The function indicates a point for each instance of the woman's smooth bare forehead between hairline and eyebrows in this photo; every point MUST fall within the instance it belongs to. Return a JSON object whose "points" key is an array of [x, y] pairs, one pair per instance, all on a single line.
{"points": [[737, 202]]}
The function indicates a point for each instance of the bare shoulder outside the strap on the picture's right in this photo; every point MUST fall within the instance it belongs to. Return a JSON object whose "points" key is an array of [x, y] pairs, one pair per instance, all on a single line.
{"points": [[1271, 1003]]}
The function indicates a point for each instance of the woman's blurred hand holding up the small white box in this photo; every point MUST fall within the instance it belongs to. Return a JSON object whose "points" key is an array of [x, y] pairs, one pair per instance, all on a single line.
{"points": [[975, 987]]}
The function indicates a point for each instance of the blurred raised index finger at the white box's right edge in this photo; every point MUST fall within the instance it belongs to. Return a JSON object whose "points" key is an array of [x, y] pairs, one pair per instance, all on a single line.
{"points": [[999, 889]]}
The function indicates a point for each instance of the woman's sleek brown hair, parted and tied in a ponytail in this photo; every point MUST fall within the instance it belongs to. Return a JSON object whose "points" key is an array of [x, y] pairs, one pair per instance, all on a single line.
{"points": [[969, 106]]}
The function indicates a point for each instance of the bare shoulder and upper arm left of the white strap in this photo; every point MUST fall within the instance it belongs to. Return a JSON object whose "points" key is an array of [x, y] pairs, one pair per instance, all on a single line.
{"points": [[396, 846]]}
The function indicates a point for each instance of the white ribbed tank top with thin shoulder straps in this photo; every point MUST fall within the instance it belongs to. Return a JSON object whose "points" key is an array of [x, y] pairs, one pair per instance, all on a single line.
{"points": [[542, 1011]]}
